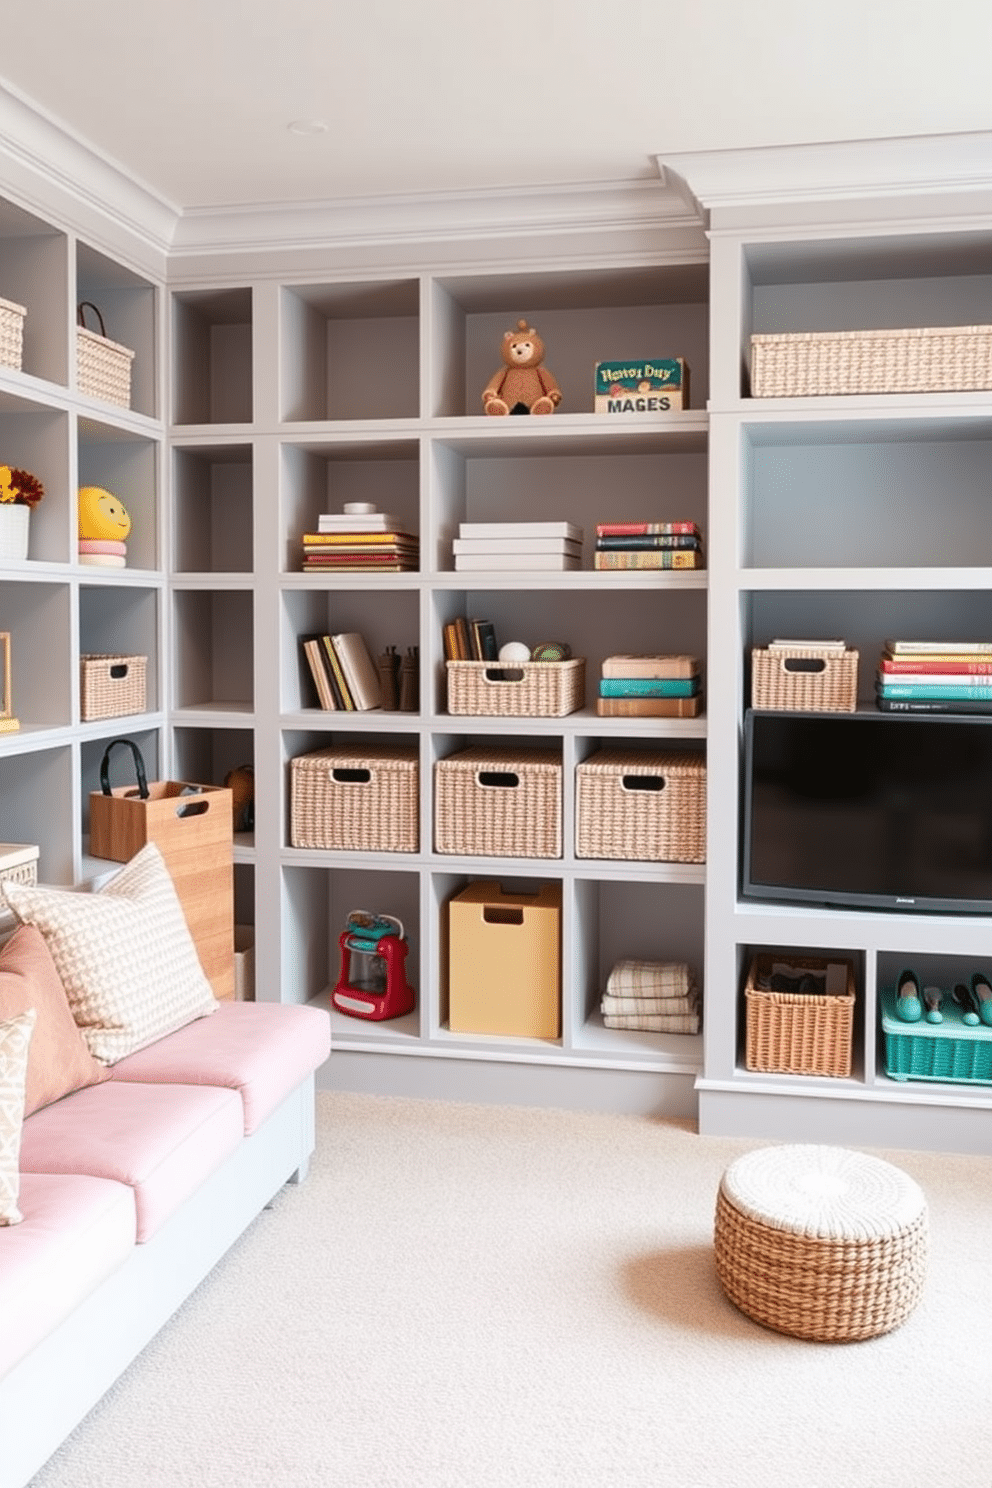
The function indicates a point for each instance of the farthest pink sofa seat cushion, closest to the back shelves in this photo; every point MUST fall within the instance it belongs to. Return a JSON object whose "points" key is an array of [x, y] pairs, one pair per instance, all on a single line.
{"points": [[261, 1050]]}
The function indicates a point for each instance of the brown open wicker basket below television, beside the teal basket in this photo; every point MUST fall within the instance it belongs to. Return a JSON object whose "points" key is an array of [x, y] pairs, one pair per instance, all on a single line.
{"points": [[798, 1033]]}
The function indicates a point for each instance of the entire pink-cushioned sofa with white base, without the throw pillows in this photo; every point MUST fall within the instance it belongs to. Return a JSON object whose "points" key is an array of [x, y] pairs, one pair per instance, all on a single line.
{"points": [[132, 1191]]}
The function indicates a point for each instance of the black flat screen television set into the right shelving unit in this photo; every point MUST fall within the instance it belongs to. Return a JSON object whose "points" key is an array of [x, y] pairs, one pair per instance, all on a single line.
{"points": [[869, 812]]}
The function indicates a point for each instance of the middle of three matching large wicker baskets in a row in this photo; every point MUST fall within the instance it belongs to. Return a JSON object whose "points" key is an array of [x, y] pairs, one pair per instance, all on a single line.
{"points": [[499, 803]]}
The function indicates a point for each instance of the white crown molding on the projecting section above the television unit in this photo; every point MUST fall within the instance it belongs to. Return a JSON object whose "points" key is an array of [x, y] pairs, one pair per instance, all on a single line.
{"points": [[712, 182]]}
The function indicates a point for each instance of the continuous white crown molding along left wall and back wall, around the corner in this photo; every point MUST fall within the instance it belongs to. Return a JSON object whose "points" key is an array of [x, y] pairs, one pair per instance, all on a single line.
{"points": [[56, 173]]}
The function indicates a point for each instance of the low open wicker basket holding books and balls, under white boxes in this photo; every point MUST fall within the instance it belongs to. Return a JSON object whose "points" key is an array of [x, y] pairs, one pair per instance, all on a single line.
{"points": [[535, 690]]}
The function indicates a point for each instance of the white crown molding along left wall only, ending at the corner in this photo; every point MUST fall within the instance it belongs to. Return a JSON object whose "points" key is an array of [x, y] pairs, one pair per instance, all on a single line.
{"points": [[54, 170]]}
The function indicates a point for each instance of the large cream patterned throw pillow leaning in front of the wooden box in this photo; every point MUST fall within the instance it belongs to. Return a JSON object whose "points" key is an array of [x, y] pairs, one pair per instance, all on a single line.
{"points": [[126, 956]]}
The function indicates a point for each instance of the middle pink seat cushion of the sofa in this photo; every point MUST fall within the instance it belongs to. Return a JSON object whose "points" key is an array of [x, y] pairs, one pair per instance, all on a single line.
{"points": [[161, 1141]]}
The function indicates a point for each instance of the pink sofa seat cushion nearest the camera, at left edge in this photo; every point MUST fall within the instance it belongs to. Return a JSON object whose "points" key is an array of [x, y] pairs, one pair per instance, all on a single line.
{"points": [[75, 1233]]}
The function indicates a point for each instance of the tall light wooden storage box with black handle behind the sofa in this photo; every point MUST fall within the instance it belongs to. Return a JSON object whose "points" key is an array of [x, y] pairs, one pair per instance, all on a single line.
{"points": [[193, 828]]}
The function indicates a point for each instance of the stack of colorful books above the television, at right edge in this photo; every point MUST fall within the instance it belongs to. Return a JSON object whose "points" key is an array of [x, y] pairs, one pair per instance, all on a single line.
{"points": [[935, 678]]}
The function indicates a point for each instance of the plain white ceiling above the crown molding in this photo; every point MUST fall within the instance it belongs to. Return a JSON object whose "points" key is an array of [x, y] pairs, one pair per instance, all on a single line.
{"points": [[196, 97]]}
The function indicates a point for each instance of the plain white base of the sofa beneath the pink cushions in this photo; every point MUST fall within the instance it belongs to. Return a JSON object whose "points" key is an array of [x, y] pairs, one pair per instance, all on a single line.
{"points": [[45, 1398]]}
